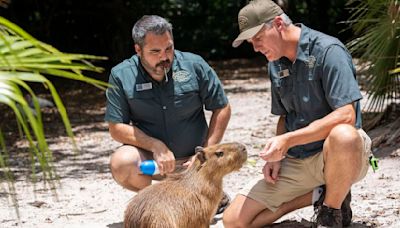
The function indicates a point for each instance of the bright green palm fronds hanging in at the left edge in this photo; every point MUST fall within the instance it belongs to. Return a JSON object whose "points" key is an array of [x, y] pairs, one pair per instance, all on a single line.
{"points": [[24, 61]]}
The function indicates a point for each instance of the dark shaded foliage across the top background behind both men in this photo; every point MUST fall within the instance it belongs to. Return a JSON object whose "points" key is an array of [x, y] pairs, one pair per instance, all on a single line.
{"points": [[205, 27]]}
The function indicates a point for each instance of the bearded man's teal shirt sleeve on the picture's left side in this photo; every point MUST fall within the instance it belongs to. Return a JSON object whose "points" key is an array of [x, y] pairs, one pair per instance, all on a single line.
{"points": [[117, 108]]}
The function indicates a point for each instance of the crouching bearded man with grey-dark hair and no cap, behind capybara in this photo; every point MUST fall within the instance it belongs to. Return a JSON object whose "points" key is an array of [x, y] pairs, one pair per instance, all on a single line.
{"points": [[155, 105]]}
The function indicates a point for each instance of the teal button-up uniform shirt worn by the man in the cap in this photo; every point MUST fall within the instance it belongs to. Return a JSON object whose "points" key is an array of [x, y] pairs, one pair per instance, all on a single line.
{"points": [[321, 79]]}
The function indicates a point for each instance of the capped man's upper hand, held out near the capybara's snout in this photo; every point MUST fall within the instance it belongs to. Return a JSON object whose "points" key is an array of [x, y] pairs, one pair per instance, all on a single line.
{"points": [[275, 149]]}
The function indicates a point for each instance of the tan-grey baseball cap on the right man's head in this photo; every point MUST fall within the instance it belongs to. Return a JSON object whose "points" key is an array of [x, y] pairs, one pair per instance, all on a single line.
{"points": [[252, 17]]}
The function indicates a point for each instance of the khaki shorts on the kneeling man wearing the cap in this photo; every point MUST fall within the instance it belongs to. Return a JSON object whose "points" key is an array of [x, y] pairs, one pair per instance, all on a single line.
{"points": [[298, 177]]}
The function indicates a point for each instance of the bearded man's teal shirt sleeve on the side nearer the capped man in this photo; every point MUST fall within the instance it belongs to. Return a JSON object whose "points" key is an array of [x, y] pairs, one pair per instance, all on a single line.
{"points": [[211, 89]]}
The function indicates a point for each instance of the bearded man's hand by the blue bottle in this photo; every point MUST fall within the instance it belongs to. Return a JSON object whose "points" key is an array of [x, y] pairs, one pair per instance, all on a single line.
{"points": [[164, 157]]}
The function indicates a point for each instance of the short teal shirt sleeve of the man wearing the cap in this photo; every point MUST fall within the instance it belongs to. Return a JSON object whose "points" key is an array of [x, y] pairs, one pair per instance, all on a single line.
{"points": [[338, 78]]}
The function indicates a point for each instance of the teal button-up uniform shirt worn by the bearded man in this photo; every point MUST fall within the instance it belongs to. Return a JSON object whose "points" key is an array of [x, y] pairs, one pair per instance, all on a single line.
{"points": [[171, 111]]}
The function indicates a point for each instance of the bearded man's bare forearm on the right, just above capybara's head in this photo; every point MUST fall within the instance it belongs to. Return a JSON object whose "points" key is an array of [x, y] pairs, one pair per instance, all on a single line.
{"points": [[218, 123]]}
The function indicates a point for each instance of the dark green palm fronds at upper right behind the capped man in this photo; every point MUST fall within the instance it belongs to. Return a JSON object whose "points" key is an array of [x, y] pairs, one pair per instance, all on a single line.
{"points": [[376, 24]]}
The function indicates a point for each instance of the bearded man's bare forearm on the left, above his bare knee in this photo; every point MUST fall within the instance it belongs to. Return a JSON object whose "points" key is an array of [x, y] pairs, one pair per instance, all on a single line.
{"points": [[131, 135]]}
